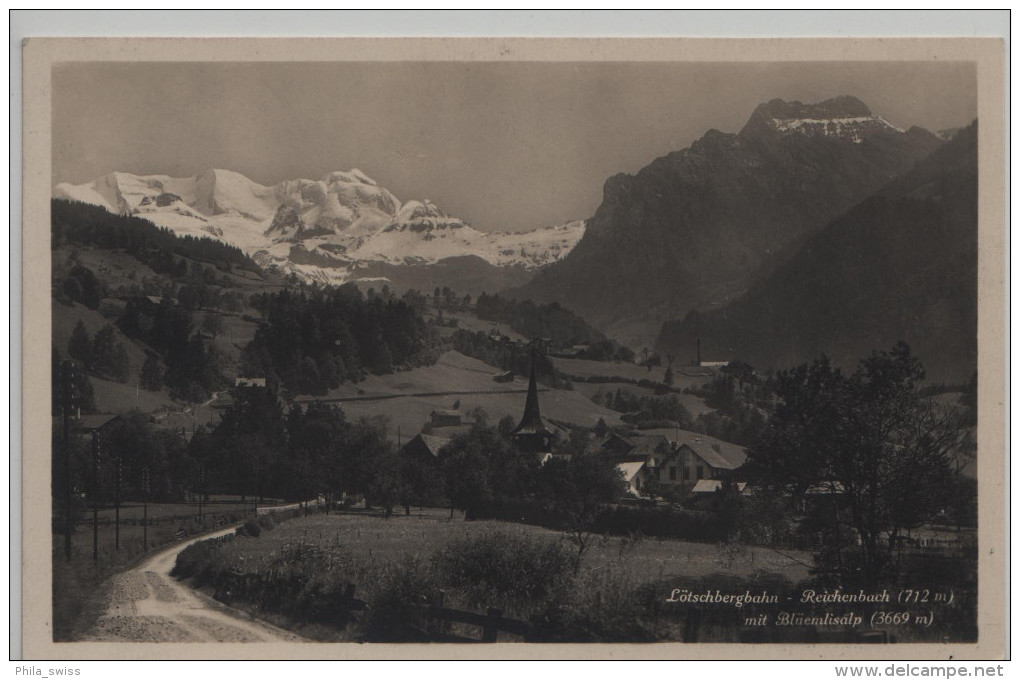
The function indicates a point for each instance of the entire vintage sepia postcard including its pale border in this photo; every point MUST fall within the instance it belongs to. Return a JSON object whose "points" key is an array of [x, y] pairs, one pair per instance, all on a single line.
{"points": [[511, 348]]}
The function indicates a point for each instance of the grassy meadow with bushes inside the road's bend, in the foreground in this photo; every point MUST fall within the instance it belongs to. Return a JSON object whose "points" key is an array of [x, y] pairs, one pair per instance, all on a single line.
{"points": [[295, 576]]}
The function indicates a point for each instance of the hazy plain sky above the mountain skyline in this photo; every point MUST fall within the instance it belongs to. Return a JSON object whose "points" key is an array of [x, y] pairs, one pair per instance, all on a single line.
{"points": [[504, 146]]}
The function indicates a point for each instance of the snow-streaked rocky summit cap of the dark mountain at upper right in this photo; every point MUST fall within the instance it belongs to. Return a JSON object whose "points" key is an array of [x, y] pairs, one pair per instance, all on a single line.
{"points": [[845, 118]]}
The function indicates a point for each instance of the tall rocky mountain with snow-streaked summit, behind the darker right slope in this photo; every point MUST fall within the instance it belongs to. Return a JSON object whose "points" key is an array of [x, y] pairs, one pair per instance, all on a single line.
{"points": [[696, 228]]}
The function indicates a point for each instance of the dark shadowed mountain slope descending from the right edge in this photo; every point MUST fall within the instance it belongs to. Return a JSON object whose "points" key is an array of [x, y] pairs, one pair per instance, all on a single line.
{"points": [[900, 266]]}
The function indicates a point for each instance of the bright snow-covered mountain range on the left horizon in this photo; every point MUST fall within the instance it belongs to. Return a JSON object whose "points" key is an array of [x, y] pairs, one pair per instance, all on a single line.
{"points": [[324, 230]]}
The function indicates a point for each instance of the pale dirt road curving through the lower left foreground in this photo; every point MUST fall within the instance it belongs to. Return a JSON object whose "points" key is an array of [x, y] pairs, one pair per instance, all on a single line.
{"points": [[147, 605]]}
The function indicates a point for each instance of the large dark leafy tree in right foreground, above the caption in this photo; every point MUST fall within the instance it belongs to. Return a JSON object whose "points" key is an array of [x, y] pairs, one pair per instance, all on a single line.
{"points": [[883, 451]]}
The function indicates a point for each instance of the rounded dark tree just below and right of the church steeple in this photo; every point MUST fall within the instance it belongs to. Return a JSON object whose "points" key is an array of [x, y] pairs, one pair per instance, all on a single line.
{"points": [[579, 491]]}
